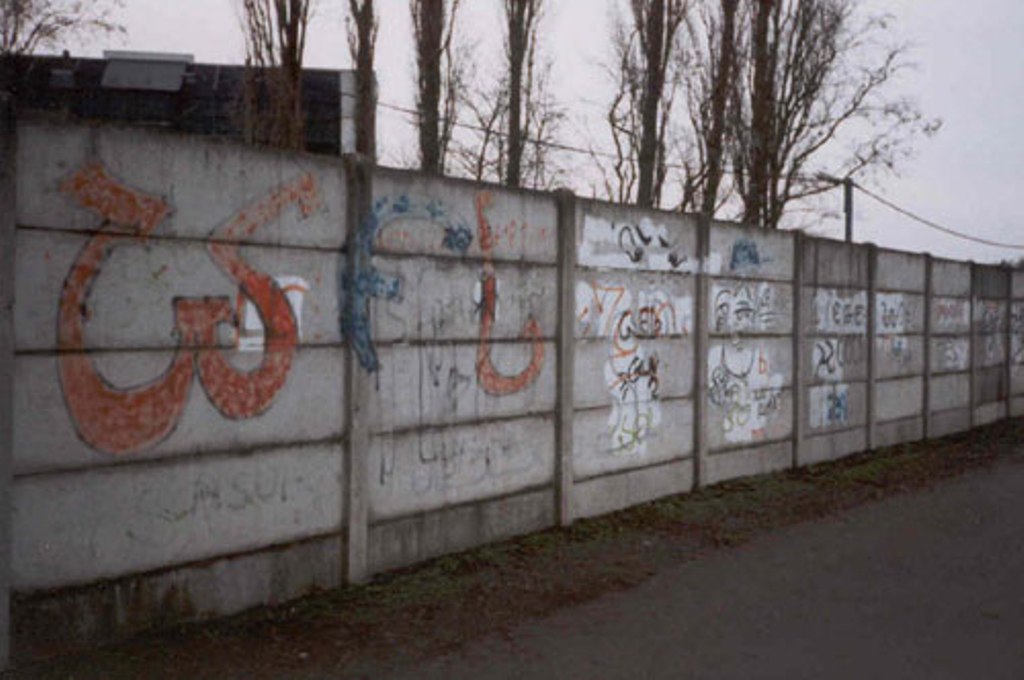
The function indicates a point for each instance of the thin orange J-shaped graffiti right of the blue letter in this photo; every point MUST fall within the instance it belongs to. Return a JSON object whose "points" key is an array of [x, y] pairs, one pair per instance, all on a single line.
{"points": [[489, 377]]}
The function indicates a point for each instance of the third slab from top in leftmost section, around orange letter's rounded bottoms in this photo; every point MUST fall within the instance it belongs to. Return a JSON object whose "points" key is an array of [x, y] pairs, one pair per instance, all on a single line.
{"points": [[309, 408]]}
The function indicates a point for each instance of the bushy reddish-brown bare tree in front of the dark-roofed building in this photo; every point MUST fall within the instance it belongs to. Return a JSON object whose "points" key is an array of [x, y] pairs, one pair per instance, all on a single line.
{"points": [[276, 40]]}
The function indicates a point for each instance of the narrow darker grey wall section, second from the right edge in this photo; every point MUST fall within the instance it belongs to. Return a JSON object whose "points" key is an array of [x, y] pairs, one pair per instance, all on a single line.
{"points": [[992, 389]]}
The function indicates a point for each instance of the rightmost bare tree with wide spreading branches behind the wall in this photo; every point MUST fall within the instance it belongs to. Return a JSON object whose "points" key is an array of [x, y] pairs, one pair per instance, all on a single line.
{"points": [[816, 69]]}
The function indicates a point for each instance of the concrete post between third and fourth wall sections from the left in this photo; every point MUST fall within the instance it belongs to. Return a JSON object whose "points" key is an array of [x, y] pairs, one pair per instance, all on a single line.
{"points": [[701, 343]]}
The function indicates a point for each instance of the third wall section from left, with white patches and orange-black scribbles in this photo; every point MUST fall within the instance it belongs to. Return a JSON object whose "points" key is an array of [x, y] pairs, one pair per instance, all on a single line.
{"points": [[633, 390]]}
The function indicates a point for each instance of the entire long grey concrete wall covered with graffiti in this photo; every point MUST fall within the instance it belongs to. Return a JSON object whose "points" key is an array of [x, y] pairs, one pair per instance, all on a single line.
{"points": [[236, 376]]}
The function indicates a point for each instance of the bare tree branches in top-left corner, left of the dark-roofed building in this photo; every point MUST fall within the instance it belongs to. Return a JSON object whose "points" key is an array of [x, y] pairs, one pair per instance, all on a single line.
{"points": [[28, 26]]}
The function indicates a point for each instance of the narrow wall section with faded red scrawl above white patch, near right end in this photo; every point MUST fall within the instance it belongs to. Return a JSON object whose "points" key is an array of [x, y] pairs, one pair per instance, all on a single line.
{"points": [[950, 381]]}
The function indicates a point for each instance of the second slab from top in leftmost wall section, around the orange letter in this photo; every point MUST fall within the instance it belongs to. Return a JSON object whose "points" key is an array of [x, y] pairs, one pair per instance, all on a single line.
{"points": [[132, 303]]}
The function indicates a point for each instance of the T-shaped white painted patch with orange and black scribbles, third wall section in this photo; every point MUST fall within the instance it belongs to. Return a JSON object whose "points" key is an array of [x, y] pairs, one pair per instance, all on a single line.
{"points": [[632, 371]]}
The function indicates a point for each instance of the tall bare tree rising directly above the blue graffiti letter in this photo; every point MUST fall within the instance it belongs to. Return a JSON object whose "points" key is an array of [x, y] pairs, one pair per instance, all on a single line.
{"points": [[441, 70]]}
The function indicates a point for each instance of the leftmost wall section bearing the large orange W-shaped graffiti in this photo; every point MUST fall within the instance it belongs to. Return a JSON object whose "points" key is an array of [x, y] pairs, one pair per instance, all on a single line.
{"points": [[178, 381]]}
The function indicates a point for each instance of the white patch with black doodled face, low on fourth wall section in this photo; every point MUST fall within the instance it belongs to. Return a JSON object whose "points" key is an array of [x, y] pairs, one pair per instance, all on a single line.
{"points": [[744, 390]]}
